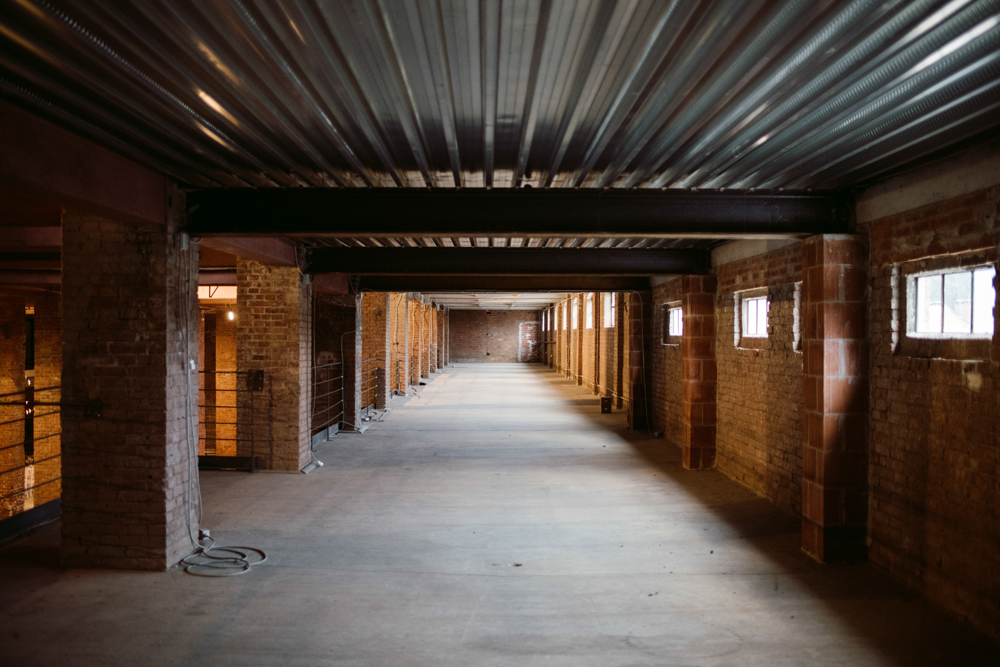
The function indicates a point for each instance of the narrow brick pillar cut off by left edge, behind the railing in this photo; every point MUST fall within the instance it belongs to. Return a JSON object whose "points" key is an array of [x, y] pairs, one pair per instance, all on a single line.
{"points": [[12, 459]]}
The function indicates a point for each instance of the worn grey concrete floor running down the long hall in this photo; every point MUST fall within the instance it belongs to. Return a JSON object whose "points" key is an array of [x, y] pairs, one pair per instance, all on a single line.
{"points": [[498, 519]]}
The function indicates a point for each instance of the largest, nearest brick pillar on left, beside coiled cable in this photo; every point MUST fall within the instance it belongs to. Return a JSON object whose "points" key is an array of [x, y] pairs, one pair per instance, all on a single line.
{"points": [[130, 333]]}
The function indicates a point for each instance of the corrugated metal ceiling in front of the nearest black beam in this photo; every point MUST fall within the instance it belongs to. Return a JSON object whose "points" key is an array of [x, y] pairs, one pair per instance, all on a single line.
{"points": [[548, 93]]}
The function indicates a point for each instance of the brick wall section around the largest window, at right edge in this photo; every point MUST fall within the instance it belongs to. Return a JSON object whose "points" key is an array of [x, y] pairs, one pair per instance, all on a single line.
{"points": [[933, 430]]}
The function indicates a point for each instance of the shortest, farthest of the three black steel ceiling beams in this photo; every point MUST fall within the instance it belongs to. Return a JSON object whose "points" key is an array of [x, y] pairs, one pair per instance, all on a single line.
{"points": [[500, 284]]}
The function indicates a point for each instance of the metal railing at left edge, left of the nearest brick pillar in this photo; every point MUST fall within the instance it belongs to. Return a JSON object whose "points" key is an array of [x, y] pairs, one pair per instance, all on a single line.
{"points": [[30, 449]]}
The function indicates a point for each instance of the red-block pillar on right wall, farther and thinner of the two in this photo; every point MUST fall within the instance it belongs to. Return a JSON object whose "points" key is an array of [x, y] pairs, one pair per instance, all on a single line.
{"points": [[698, 372]]}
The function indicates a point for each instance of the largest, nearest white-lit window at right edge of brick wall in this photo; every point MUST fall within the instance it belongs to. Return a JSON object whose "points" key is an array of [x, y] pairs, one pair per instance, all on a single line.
{"points": [[956, 304]]}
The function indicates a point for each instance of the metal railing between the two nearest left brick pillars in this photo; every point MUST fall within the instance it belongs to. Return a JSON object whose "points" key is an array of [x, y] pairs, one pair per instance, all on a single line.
{"points": [[226, 407]]}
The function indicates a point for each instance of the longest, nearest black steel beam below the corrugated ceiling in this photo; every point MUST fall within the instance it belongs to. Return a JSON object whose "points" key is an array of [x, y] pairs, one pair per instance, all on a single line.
{"points": [[314, 212]]}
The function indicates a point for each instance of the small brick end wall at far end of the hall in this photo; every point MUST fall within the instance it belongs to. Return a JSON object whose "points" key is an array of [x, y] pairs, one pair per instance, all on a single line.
{"points": [[488, 336]]}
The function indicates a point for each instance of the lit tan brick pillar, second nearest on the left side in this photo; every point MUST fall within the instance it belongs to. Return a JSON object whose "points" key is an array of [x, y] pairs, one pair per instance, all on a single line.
{"points": [[274, 335]]}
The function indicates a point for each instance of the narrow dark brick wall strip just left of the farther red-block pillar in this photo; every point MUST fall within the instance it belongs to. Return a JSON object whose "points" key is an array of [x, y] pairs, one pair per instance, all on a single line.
{"points": [[667, 382]]}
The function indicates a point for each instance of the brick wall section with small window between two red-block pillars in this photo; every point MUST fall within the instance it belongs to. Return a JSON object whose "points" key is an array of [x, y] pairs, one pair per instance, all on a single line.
{"points": [[759, 394]]}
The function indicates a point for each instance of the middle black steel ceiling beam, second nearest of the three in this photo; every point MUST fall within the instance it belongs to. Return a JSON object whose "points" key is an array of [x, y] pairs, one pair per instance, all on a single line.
{"points": [[507, 261]]}
